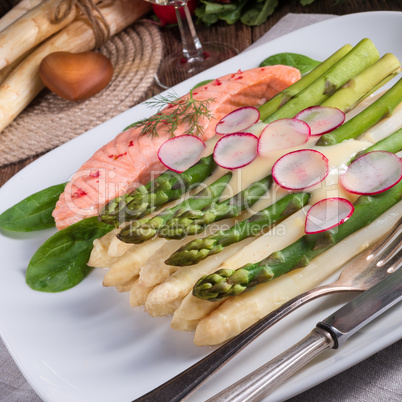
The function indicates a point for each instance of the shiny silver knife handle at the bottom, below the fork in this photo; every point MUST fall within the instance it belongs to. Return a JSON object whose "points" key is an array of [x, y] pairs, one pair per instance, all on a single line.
{"points": [[272, 374]]}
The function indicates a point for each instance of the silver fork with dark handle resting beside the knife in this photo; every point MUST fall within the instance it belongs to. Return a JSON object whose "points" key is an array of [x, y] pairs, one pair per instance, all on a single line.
{"points": [[368, 268]]}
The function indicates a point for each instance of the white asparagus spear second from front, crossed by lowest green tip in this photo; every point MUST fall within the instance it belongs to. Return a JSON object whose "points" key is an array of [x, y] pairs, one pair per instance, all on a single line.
{"points": [[192, 309]]}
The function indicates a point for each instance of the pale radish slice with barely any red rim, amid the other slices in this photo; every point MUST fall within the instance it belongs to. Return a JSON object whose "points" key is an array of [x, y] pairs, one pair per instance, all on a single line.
{"points": [[281, 134]]}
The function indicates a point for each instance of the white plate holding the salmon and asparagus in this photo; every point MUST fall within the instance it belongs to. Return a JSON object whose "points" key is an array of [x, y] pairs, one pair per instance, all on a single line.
{"points": [[87, 344]]}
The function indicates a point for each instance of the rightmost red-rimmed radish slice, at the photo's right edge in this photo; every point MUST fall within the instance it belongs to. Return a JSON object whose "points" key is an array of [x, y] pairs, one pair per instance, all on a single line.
{"points": [[372, 173]]}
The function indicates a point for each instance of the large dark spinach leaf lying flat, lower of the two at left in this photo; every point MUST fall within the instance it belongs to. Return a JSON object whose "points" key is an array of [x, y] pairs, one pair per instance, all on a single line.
{"points": [[61, 261]]}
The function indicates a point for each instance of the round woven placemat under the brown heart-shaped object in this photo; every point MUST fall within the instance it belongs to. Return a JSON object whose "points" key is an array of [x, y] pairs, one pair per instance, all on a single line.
{"points": [[50, 121]]}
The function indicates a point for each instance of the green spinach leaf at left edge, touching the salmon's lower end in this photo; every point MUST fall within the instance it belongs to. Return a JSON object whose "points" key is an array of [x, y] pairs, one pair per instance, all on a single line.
{"points": [[34, 212]]}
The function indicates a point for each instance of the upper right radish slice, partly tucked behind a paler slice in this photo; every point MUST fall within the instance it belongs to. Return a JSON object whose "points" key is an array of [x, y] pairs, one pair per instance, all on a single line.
{"points": [[321, 119]]}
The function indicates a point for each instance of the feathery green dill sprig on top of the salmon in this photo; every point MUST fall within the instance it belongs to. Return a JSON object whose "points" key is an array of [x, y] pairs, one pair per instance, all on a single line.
{"points": [[173, 111]]}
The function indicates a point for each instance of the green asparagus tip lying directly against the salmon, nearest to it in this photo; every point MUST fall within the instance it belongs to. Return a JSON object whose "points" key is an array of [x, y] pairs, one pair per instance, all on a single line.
{"points": [[167, 187]]}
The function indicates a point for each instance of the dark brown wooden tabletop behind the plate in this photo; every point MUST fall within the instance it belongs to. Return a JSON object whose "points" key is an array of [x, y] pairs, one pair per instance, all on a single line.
{"points": [[241, 36]]}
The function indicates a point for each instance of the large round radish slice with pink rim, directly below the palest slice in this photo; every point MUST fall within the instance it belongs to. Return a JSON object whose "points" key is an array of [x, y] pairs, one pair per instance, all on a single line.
{"points": [[300, 169]]}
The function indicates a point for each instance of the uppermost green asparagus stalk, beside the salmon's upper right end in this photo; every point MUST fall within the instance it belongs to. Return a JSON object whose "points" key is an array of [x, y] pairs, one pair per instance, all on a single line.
{"points": [[282, 97]]}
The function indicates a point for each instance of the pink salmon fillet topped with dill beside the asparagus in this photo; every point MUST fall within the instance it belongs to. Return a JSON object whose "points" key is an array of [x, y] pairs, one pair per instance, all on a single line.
{"points": [[131, 159]]}
